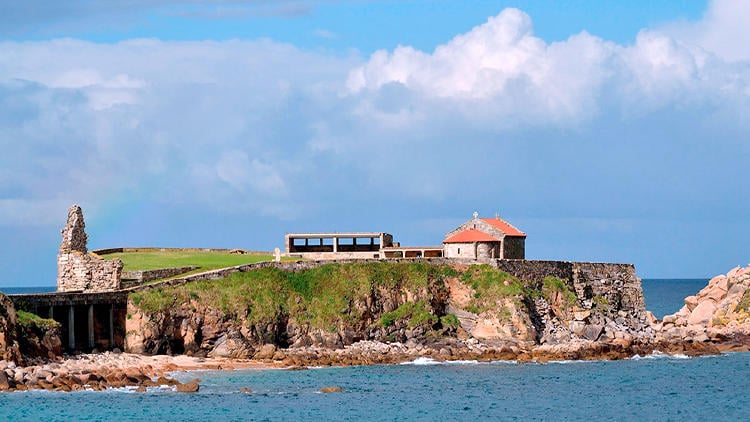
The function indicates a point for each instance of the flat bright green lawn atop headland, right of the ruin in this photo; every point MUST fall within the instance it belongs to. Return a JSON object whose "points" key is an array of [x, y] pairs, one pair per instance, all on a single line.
{"points": [[135, 261]]}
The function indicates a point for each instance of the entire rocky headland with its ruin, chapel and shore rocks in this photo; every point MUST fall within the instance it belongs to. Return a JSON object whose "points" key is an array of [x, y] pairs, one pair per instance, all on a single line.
{"points": [[476, 297]]}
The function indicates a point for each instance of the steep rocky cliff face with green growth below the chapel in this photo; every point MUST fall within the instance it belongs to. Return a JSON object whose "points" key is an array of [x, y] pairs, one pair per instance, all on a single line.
{"points": [[335, 305]]}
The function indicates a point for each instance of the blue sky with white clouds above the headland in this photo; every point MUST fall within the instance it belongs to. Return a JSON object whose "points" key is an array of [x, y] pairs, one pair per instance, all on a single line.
{"points": [[607, 131]]}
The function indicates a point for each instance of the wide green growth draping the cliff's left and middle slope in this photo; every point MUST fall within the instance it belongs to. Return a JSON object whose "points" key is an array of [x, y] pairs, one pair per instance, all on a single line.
{"points": [[322, 297]]}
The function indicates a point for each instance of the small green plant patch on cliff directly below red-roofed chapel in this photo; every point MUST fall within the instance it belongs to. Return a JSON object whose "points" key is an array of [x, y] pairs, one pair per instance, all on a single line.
{"points": [[491, 285]]}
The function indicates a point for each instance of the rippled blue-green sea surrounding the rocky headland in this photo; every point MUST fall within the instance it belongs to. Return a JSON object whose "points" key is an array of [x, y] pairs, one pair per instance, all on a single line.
{"points": [[644, 388]]}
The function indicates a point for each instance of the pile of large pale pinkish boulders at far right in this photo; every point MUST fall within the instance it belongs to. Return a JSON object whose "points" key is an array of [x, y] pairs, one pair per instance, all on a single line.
{"points": [[719, 313]]}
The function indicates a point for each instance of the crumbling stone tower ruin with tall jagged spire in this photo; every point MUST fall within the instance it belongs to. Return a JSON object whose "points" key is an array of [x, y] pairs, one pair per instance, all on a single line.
{"points": [[79, 270]]}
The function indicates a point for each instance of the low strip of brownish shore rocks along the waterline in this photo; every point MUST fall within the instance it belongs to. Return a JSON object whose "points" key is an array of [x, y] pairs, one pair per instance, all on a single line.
{"points": [[97, 372]]}
